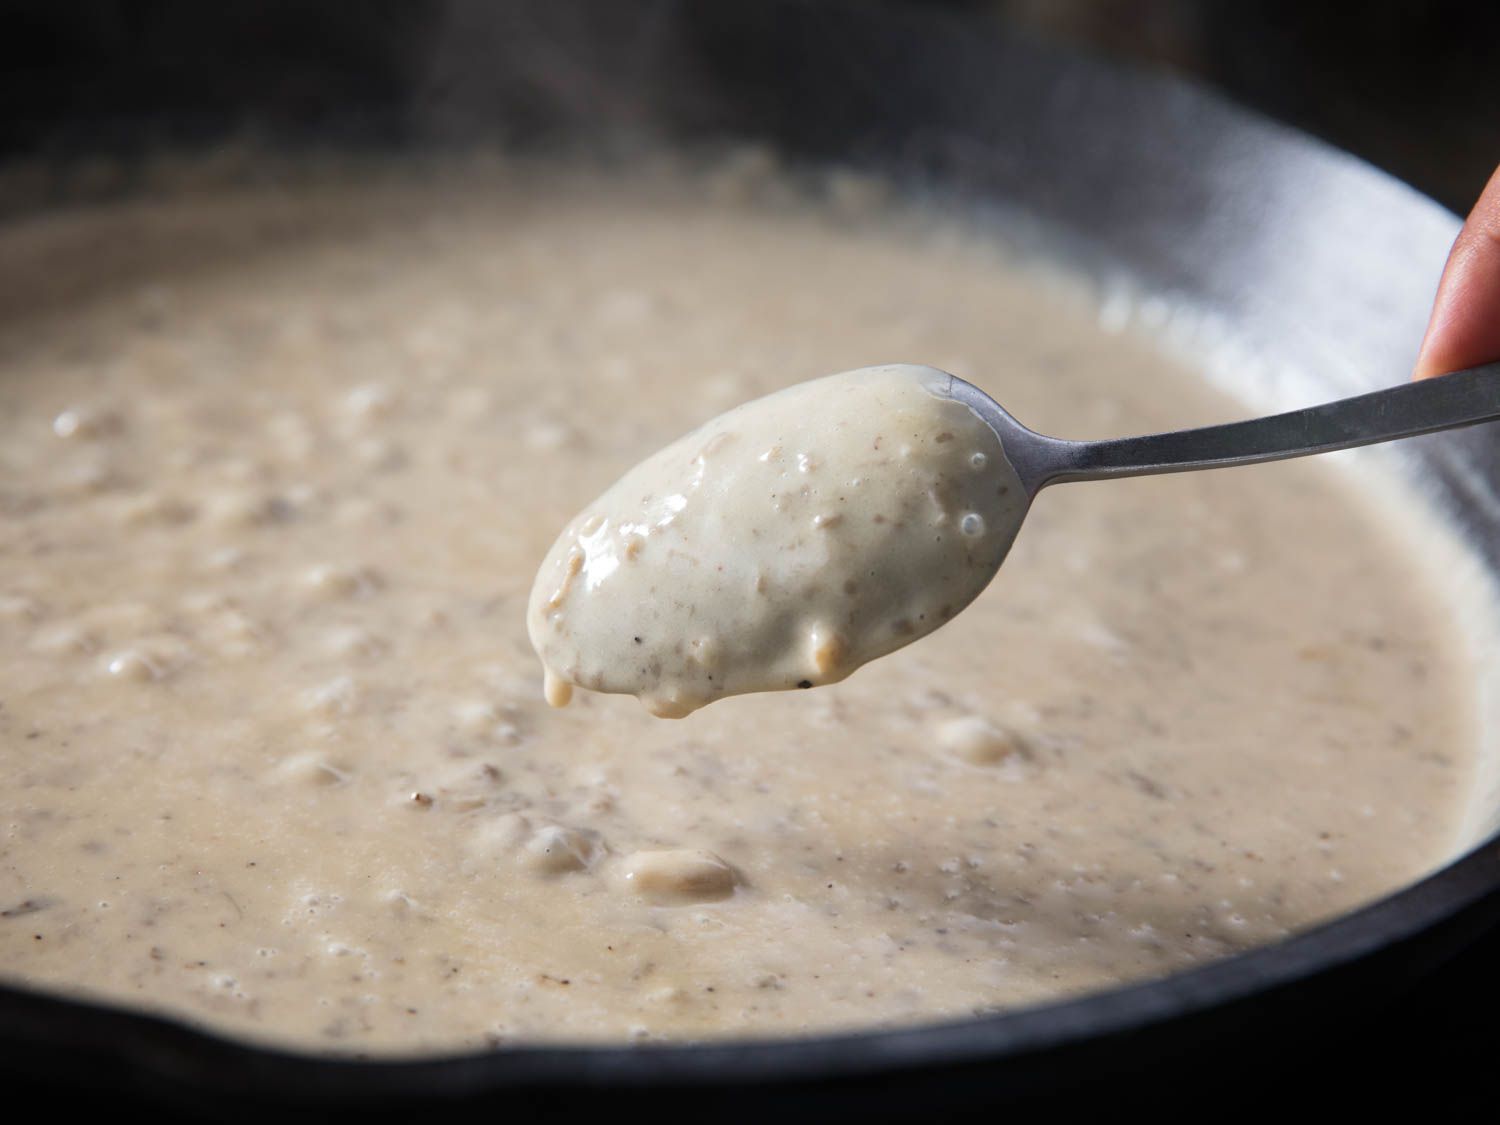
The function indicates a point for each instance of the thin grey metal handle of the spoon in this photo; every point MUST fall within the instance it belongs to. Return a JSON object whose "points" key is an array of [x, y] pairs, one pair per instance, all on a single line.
{"points": [[1447, 403]]}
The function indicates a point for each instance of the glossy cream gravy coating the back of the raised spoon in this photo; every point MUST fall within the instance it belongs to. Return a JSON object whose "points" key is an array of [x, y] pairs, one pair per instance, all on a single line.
{"points": [[782, 545]]}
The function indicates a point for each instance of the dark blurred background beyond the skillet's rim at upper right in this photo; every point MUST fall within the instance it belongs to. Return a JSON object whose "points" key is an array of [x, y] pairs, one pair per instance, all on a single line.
{"points": [[1412, 88]]}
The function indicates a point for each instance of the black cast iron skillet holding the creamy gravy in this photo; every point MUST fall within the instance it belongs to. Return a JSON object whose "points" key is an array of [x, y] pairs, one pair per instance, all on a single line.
{"points": [[1313, 260]]}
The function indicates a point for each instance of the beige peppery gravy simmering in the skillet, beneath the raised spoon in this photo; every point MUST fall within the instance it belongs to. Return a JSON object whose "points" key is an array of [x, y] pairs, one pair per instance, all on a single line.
{"points": [[278, 469]]}
